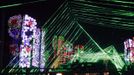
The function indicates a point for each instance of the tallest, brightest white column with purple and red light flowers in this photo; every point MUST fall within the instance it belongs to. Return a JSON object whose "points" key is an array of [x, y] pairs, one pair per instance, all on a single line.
{"points": [[28, 25]]}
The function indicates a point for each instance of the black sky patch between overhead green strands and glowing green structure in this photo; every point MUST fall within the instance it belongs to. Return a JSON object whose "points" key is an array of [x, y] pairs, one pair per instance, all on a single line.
{"points": [[106, 36]]}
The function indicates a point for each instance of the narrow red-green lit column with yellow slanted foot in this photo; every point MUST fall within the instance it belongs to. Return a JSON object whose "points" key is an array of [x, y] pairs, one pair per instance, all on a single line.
{"points": [[58, 46]]}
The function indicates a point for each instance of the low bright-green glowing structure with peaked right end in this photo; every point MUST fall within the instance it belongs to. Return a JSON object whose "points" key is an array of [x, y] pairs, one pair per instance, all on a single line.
{"points": [[110, 54]]}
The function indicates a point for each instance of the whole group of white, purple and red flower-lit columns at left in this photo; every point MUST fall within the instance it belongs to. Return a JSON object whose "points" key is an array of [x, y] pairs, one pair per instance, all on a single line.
{"points": [[31, 49]]}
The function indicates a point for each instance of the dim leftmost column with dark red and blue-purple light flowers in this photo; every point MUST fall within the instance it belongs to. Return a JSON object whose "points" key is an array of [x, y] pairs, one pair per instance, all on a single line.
{"points": [[14, 24]]}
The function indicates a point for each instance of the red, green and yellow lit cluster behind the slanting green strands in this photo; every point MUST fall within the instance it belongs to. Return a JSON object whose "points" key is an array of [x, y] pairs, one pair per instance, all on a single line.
{"points": [[64, 52]]}
